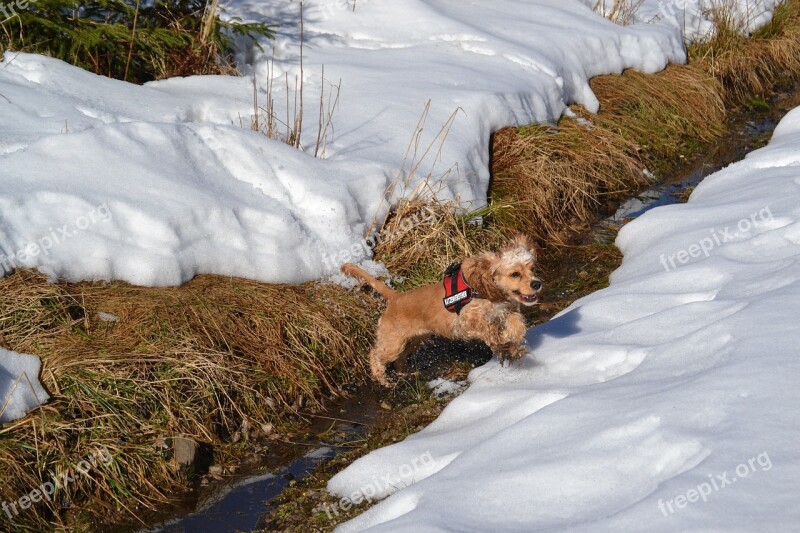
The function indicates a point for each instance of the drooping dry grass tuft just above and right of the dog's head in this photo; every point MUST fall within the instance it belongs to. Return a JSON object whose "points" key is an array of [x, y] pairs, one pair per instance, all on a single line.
{"points": [[555, 177]]}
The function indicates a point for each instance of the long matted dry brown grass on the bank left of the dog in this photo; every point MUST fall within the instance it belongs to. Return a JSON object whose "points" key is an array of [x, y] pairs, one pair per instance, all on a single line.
{"points": [[215, 359]]}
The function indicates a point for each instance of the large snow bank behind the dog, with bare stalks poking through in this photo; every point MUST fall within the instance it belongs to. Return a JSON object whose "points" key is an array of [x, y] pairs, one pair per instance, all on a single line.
{"points": [[184, 187]]}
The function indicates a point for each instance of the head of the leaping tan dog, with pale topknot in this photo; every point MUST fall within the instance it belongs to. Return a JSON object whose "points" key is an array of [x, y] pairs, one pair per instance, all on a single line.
{"points": [[507, 275]]}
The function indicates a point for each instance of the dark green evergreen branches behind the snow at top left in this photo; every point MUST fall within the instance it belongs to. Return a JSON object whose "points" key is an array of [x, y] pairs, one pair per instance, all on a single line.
{"points": [[128, 39]]}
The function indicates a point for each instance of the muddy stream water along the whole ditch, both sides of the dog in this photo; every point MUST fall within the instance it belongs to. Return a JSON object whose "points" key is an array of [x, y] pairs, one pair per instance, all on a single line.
{"points": [[240, 501]]}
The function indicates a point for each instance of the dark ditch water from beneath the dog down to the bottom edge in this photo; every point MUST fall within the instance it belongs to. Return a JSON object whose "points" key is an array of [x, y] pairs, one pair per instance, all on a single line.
{"points": [[241, 502]]}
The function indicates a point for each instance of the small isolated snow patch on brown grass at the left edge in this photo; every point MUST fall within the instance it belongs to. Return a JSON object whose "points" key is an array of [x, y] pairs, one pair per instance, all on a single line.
{"points": [[20, 390]]}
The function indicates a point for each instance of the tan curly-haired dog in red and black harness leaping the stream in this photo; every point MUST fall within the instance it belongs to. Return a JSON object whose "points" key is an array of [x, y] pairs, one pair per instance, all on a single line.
{"points": [[480, 300]]}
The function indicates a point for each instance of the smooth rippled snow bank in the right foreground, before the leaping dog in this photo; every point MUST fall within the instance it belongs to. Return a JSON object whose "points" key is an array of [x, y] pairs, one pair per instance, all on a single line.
{"points": [[666, 402]]}
